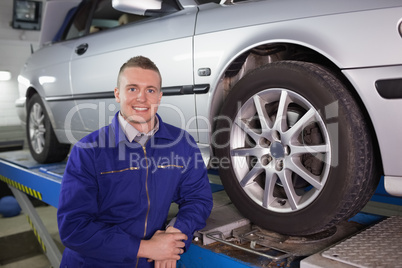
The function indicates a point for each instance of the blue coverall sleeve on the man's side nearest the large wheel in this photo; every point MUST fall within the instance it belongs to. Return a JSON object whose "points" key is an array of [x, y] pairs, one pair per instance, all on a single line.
{"points": [[194, 196]]}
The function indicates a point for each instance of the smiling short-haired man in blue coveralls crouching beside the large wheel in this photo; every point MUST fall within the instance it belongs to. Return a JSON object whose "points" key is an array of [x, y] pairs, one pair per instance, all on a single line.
{"points": [[119, 183]]}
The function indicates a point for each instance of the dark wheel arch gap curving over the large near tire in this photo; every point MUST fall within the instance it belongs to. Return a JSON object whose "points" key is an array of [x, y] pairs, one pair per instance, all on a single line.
{"points": [[261, 54]]}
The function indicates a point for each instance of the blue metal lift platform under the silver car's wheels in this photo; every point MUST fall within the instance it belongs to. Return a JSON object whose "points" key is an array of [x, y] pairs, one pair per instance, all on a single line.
{"points": [[229, 239]]}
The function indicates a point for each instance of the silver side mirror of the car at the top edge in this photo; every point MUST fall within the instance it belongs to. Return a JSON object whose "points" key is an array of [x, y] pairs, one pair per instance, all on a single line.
{"points": [[144, 8]]}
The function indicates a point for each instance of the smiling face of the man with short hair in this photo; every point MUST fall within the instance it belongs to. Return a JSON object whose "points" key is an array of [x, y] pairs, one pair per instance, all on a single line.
{"points": [[139, 96]]}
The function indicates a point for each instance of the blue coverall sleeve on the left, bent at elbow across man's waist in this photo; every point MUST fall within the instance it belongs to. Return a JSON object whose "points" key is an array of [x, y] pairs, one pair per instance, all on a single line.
{"points": [[78, 210]]}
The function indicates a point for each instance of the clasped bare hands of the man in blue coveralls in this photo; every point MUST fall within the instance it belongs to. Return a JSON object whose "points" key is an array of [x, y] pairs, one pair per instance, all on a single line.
{"points": [[163, 246]]}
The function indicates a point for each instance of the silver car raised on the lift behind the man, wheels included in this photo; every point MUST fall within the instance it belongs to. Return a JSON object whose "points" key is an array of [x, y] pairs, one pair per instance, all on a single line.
{"points": [[297, 102]]}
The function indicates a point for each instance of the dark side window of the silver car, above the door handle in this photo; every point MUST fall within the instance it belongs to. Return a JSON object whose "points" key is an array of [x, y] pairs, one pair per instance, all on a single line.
{"points": [[97, 15]]}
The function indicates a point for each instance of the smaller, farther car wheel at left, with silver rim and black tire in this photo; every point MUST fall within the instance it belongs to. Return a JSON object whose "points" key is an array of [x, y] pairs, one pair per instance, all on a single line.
{"points": [[42, 141]]}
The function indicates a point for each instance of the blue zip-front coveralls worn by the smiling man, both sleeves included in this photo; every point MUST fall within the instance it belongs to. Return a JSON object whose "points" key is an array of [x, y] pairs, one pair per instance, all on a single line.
{"points": [[115, 193]]}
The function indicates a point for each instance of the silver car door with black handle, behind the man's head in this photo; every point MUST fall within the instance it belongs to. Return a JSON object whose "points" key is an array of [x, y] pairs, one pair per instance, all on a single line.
{"points": [[98, 55]]}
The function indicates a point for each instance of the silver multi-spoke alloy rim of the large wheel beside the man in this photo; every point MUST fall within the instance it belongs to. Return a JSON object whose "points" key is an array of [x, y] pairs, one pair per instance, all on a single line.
{"points": [[276, 163]]}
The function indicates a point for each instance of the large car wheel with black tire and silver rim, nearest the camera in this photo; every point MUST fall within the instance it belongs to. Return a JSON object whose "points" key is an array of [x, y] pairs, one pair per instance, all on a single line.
{"points": [[299, 149]]}
